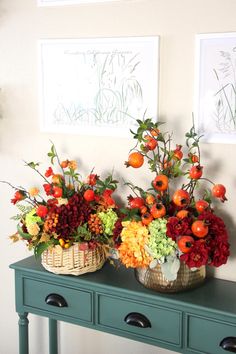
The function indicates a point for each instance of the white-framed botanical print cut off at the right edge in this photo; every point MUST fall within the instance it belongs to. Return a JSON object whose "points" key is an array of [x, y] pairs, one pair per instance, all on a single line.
{"points": [[215, 87]]}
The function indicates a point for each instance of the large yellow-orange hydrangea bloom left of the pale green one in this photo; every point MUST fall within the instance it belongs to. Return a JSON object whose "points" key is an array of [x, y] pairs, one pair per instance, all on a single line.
{"points": [[132, 249]]}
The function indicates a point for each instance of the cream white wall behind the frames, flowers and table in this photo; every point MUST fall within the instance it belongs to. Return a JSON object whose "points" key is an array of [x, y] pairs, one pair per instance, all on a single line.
{"points": [[22, 23]]}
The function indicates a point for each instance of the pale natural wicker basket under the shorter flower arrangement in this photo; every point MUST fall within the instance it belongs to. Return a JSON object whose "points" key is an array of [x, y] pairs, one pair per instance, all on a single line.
{"points": [[73, 261]]}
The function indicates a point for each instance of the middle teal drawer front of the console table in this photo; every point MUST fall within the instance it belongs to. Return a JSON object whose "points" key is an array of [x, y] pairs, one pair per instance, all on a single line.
{"points": [[166, 324]]}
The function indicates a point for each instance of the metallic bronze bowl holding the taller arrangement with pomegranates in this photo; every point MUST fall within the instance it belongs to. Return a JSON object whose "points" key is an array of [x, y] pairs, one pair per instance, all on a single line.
{"points": [[186, 278]]}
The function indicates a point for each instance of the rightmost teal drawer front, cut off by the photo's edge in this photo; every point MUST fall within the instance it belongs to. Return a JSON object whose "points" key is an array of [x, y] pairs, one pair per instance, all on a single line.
{"points": [[205, 334]]}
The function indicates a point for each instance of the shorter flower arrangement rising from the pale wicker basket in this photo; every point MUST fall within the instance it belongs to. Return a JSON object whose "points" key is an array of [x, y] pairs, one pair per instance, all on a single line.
{"points": [[67, 210]]}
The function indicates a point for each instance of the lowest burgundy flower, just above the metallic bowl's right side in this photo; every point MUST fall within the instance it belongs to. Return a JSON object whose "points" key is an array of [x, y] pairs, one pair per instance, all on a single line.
{"points": [[198, 255]]}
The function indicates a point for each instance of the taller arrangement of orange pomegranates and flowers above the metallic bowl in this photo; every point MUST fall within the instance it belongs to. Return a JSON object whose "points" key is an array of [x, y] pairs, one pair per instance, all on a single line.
{"points": [[167, 225]]}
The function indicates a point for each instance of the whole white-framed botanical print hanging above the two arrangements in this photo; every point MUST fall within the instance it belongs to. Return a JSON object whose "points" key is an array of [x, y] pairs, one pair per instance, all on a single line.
{"points": [[98, 86]]}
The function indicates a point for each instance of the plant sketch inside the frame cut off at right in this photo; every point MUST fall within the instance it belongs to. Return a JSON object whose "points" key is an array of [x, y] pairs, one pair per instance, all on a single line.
{"points": [[225, 97]]}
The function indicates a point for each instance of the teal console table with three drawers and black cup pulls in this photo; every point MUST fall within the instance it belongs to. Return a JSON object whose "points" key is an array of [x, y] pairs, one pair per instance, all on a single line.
{"points": [[197, 321]]}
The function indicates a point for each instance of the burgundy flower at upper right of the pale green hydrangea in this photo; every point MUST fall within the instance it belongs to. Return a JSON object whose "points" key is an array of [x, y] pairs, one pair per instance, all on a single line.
{"points": [[177, 227]]}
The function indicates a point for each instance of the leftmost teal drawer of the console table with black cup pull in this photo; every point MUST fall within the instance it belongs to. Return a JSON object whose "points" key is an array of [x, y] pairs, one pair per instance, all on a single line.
{"points": [[58, 299]]}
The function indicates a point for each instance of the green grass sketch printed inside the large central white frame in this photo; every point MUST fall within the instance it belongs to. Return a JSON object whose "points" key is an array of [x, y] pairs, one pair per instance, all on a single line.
{"points": [[115, 91]]}
